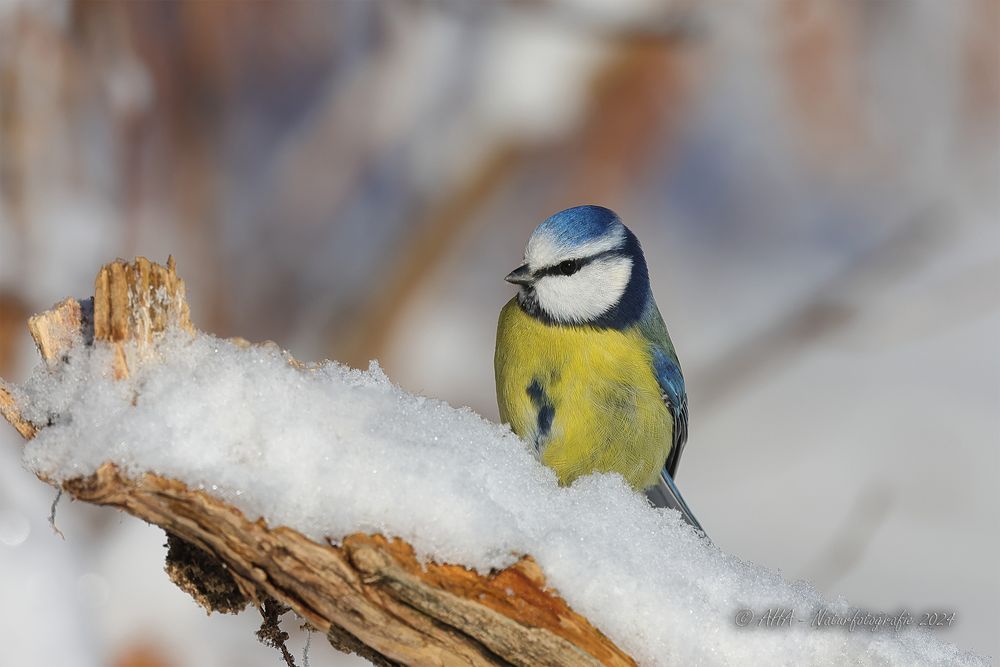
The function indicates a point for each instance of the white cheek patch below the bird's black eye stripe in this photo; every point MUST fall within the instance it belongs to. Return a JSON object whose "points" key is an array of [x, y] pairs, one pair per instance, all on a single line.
{"points": [[588, 293]]}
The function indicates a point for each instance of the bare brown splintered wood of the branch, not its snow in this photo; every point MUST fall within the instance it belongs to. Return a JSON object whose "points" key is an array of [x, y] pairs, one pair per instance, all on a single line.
{"points": [[368, 594]]}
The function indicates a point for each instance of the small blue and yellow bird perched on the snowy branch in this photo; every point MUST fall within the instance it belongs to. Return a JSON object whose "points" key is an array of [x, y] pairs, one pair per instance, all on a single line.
{"points": [[586, 372]]}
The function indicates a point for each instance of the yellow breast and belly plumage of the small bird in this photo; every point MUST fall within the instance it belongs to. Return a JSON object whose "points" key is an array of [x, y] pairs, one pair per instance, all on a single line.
{"points": [[606, 412]]}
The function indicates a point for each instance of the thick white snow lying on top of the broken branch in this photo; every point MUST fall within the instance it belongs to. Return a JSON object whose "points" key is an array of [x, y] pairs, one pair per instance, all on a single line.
{"points": [[331, 451]]}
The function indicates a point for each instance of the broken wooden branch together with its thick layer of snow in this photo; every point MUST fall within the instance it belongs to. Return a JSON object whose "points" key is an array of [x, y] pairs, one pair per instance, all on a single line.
{"points": [[402, 528]]}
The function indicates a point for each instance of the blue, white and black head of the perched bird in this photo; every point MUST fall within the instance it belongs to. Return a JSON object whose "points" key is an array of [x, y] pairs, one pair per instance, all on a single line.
{"points": [[583, 266]]}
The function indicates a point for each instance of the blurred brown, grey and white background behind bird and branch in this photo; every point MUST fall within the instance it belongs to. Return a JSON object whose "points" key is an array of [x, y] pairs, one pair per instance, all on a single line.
{"points": [[816, 184]]}
